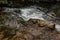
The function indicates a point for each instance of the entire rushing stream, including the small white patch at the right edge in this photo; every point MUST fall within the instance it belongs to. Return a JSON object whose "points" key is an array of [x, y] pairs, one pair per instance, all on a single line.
{"points": [[32, 12]]}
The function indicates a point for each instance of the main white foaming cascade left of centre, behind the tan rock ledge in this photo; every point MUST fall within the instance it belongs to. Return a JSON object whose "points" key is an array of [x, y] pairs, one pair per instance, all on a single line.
{"points": [[26, 13]]}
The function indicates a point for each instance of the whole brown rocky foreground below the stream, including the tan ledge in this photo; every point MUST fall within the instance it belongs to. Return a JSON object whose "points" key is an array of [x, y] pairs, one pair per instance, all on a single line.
{"points": [[33, 29]]}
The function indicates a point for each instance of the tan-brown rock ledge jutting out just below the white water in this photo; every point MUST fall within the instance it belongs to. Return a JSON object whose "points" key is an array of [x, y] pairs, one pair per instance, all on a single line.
{"points": [[43, 23]]}
